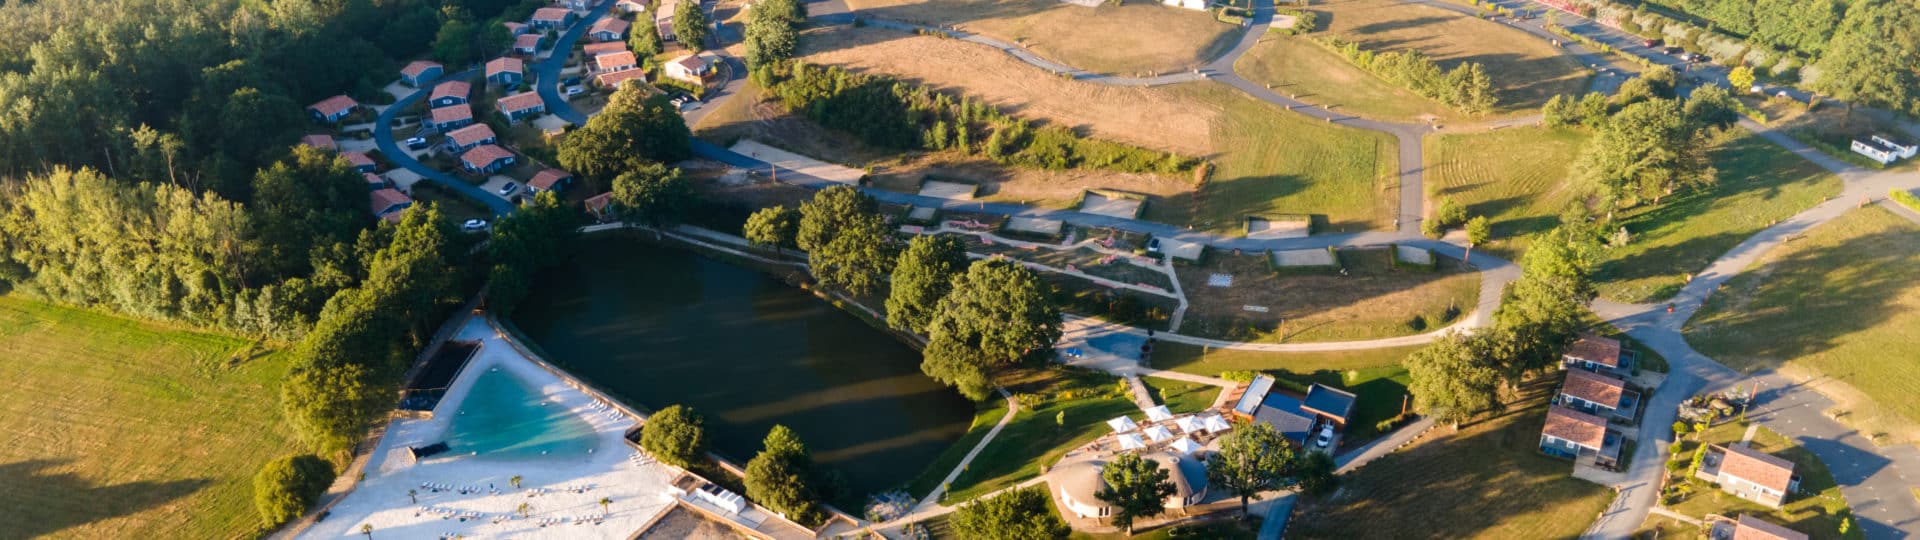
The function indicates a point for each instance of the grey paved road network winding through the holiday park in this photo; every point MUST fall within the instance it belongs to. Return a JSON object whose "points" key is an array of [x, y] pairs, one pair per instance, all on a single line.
{"points": [[1871, 478]]}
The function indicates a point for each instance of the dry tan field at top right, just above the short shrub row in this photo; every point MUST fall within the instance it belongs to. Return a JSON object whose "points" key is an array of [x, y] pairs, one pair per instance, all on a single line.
{"points": [[1525, 70]]}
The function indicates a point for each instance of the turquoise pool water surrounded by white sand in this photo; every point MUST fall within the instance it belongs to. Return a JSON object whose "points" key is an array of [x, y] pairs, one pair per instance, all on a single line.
{"points": [[506, 418]]}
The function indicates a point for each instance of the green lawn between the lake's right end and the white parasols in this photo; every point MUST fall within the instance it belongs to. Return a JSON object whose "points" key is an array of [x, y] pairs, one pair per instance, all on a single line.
{"points": [[1036, 437]]}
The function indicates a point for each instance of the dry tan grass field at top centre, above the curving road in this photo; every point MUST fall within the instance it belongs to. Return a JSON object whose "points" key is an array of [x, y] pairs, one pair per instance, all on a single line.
{"points": [[1130, 39]]}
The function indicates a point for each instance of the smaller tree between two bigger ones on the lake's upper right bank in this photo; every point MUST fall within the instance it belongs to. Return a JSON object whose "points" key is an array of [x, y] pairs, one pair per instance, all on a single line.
{"points": [[923, 280]]}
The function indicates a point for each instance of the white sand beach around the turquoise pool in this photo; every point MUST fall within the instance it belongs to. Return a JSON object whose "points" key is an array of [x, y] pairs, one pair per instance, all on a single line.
{"points": [[638, 493]]}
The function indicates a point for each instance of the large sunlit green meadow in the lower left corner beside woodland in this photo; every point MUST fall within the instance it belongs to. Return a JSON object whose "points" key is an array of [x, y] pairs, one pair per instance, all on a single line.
{"points": [[122, 430]]}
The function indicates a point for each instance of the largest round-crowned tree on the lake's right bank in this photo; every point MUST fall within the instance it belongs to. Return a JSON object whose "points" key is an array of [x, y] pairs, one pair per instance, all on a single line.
{"points": [[996, 316]]}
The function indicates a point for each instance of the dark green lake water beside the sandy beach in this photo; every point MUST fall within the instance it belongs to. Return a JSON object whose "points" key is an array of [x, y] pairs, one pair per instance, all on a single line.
{"points": [[661, 326]]}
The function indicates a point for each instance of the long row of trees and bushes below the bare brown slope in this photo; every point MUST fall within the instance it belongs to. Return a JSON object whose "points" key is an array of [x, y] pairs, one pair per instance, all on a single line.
{"points": [[894, 114]]}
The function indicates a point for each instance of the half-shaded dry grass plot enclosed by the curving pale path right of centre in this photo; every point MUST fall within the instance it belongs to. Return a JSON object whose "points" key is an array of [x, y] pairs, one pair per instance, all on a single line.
{"points": [[1372, 301]]}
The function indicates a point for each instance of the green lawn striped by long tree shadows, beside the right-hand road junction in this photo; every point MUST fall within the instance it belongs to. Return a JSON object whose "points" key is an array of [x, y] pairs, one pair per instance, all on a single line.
{"points": [[1760, 184]]}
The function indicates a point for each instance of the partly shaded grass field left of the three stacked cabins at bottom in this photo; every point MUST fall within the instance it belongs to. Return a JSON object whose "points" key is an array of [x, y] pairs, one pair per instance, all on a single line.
{"points": [[1485, 481]]}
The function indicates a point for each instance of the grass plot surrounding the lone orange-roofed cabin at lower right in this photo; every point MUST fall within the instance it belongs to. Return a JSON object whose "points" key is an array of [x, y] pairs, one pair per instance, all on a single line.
{"points": [[1815, 510]]}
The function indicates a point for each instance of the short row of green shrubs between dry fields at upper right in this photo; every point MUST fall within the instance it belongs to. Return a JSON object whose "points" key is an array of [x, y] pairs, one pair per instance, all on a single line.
{"points": [[1466, 87]]}
